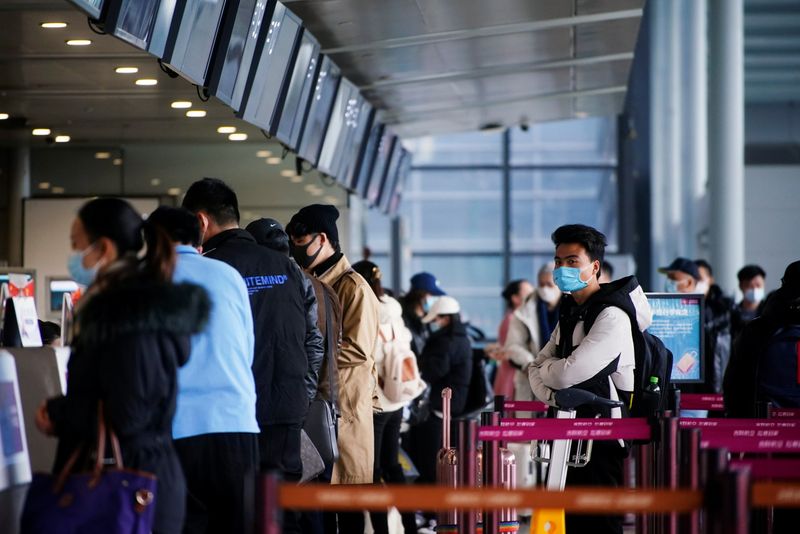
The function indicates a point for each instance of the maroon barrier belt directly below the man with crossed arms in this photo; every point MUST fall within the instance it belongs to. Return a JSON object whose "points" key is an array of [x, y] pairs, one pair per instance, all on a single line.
{"points": [[547, 429]]}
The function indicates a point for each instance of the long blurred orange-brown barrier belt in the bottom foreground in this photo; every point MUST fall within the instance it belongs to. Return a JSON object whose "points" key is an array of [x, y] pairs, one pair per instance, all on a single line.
{"points": [[408, 498]]}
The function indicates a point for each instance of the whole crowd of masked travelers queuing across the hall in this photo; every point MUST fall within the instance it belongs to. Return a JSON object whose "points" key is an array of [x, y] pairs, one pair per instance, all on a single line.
{"points": [[218, 354]]}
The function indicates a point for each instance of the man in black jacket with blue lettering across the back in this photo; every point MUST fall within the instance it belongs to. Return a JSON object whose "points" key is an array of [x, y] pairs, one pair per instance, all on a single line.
{"points": [[288, 344]]}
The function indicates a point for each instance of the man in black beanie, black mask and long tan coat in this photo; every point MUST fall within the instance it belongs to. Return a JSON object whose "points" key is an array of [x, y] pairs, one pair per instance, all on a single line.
{"points": [[314, 244]]}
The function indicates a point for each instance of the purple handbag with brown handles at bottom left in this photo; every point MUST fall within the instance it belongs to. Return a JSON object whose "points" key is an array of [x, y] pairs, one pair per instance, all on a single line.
{"points": [[111, 500]]}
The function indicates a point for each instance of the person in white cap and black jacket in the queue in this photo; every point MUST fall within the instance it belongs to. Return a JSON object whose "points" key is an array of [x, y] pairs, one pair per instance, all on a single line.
{"points": [[446, 361]]}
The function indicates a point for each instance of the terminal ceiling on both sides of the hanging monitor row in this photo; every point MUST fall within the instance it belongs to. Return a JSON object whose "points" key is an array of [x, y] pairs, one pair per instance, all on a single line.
{"points": [[431, 67]]}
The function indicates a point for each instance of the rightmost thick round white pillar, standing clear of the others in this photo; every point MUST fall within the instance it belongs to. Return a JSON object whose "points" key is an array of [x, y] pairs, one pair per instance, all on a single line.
{"points": [[726, 138]]}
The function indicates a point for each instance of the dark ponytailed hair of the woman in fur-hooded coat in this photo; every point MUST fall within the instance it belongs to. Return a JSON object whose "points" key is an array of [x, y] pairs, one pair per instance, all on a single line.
{"points": [[115, 219]]}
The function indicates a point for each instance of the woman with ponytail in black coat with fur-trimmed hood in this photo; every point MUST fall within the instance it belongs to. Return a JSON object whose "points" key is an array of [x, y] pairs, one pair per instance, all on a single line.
{"points": [[131, 334]]}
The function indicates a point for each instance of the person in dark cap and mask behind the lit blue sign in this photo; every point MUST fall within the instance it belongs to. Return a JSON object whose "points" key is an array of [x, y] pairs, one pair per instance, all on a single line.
{"points": [[684, 276]]}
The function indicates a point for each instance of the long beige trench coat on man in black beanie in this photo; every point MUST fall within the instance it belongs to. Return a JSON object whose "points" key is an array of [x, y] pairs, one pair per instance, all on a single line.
{"points": [[357, 376]]}
